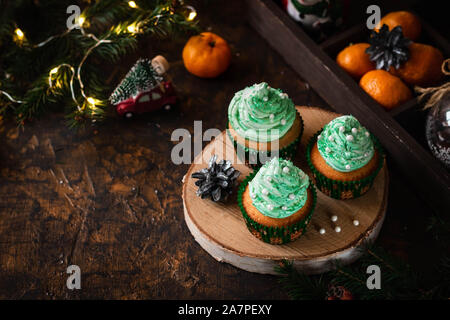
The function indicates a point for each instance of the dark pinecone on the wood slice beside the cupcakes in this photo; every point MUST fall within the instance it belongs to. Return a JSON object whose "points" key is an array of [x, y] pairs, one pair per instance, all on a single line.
{"points": [[216, 181]]}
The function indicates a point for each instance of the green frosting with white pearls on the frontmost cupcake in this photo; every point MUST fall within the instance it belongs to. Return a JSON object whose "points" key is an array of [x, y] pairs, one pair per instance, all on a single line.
{"points": [[279, 189]]}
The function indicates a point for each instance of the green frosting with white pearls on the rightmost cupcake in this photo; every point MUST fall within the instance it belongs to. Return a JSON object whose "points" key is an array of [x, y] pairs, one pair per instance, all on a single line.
{"points": [[345, 144]]}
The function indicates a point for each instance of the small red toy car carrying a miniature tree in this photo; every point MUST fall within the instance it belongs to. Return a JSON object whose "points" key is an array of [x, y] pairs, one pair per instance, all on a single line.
{"points": [[162, 95]]}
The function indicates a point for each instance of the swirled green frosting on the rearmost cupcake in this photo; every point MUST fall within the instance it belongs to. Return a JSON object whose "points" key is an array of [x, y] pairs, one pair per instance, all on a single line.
{"points": [[261, 113]]}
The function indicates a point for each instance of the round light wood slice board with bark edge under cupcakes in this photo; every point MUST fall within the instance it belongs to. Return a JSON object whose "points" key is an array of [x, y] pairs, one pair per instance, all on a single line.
{"points": [[220, 228]]}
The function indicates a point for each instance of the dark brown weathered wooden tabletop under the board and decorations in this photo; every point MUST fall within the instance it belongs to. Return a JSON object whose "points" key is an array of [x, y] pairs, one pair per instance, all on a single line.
{"points": [[108, 198]]}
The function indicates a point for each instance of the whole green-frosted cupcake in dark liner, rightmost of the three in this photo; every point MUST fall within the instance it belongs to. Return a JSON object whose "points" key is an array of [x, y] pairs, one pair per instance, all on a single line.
{"points": [[344, 158]]}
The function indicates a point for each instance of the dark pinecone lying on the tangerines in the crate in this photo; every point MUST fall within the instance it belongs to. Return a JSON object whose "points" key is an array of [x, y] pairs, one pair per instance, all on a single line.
{"points": [[388, 48]]}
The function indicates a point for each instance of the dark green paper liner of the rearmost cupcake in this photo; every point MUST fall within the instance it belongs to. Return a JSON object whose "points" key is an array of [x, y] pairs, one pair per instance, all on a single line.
{"points": [[252, 156]]}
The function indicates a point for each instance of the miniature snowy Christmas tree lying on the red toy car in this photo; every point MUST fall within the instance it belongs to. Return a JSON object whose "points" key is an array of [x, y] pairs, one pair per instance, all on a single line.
{"points": [[142, 77]]}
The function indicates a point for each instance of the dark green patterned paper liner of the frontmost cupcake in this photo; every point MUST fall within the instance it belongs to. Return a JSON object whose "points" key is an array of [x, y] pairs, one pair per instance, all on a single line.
{"points": [[274, 235]]}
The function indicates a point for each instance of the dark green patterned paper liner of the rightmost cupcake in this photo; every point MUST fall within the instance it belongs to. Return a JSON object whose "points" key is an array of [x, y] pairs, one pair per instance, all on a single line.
{"points": [[342, 190]]}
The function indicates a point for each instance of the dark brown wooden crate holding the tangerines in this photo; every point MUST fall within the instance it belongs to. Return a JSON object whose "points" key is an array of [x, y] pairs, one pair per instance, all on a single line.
{"points": [[315, 63]]}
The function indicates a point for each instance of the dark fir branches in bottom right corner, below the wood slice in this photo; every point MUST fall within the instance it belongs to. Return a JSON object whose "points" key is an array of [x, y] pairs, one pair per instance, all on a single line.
{"points": [[398, 279]]}
